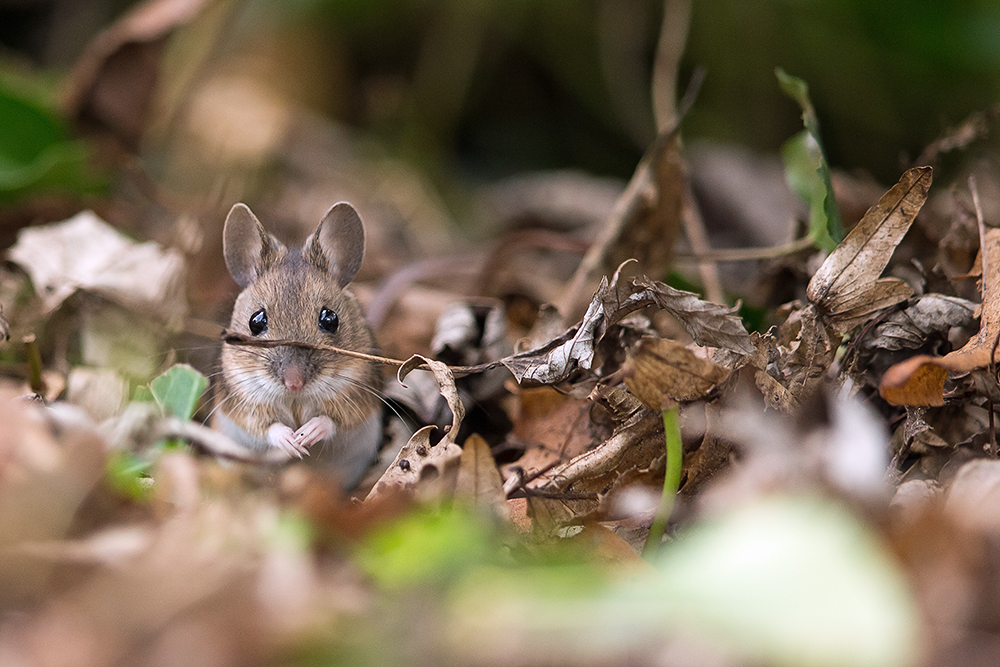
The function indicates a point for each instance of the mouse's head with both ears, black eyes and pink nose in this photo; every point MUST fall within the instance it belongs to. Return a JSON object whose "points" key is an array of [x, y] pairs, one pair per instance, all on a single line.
{"points": [[297, 294]]}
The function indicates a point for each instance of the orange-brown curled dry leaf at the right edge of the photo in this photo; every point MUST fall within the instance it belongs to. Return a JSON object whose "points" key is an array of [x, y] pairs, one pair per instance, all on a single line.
{"points": [[920, 380]]}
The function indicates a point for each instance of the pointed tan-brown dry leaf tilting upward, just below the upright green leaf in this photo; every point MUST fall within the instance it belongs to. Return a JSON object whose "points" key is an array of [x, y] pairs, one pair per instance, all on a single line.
{"points": [[845, 288]]}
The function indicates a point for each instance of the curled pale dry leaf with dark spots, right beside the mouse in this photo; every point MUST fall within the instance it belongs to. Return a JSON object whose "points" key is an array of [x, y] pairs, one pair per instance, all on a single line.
{"points": [[420, 464]]}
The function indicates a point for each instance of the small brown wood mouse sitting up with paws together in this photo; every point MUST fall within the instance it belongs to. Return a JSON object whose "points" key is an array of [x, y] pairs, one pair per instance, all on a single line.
{"points": [[300, 400]]}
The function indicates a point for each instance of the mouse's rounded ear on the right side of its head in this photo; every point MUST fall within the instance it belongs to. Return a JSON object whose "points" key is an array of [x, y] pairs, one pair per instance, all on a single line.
{"points": [[338, 244]]}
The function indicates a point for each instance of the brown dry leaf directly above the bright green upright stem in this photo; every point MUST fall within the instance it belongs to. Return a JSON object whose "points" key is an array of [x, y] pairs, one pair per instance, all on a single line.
{"points": [[659, 369]]}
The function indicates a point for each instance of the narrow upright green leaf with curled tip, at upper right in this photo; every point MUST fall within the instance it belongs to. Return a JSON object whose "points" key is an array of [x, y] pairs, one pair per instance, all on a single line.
{"points": [[807, 170]]}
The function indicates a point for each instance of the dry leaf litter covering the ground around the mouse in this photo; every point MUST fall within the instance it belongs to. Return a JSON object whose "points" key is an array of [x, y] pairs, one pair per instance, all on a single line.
{"points": [[815, 522]]}
